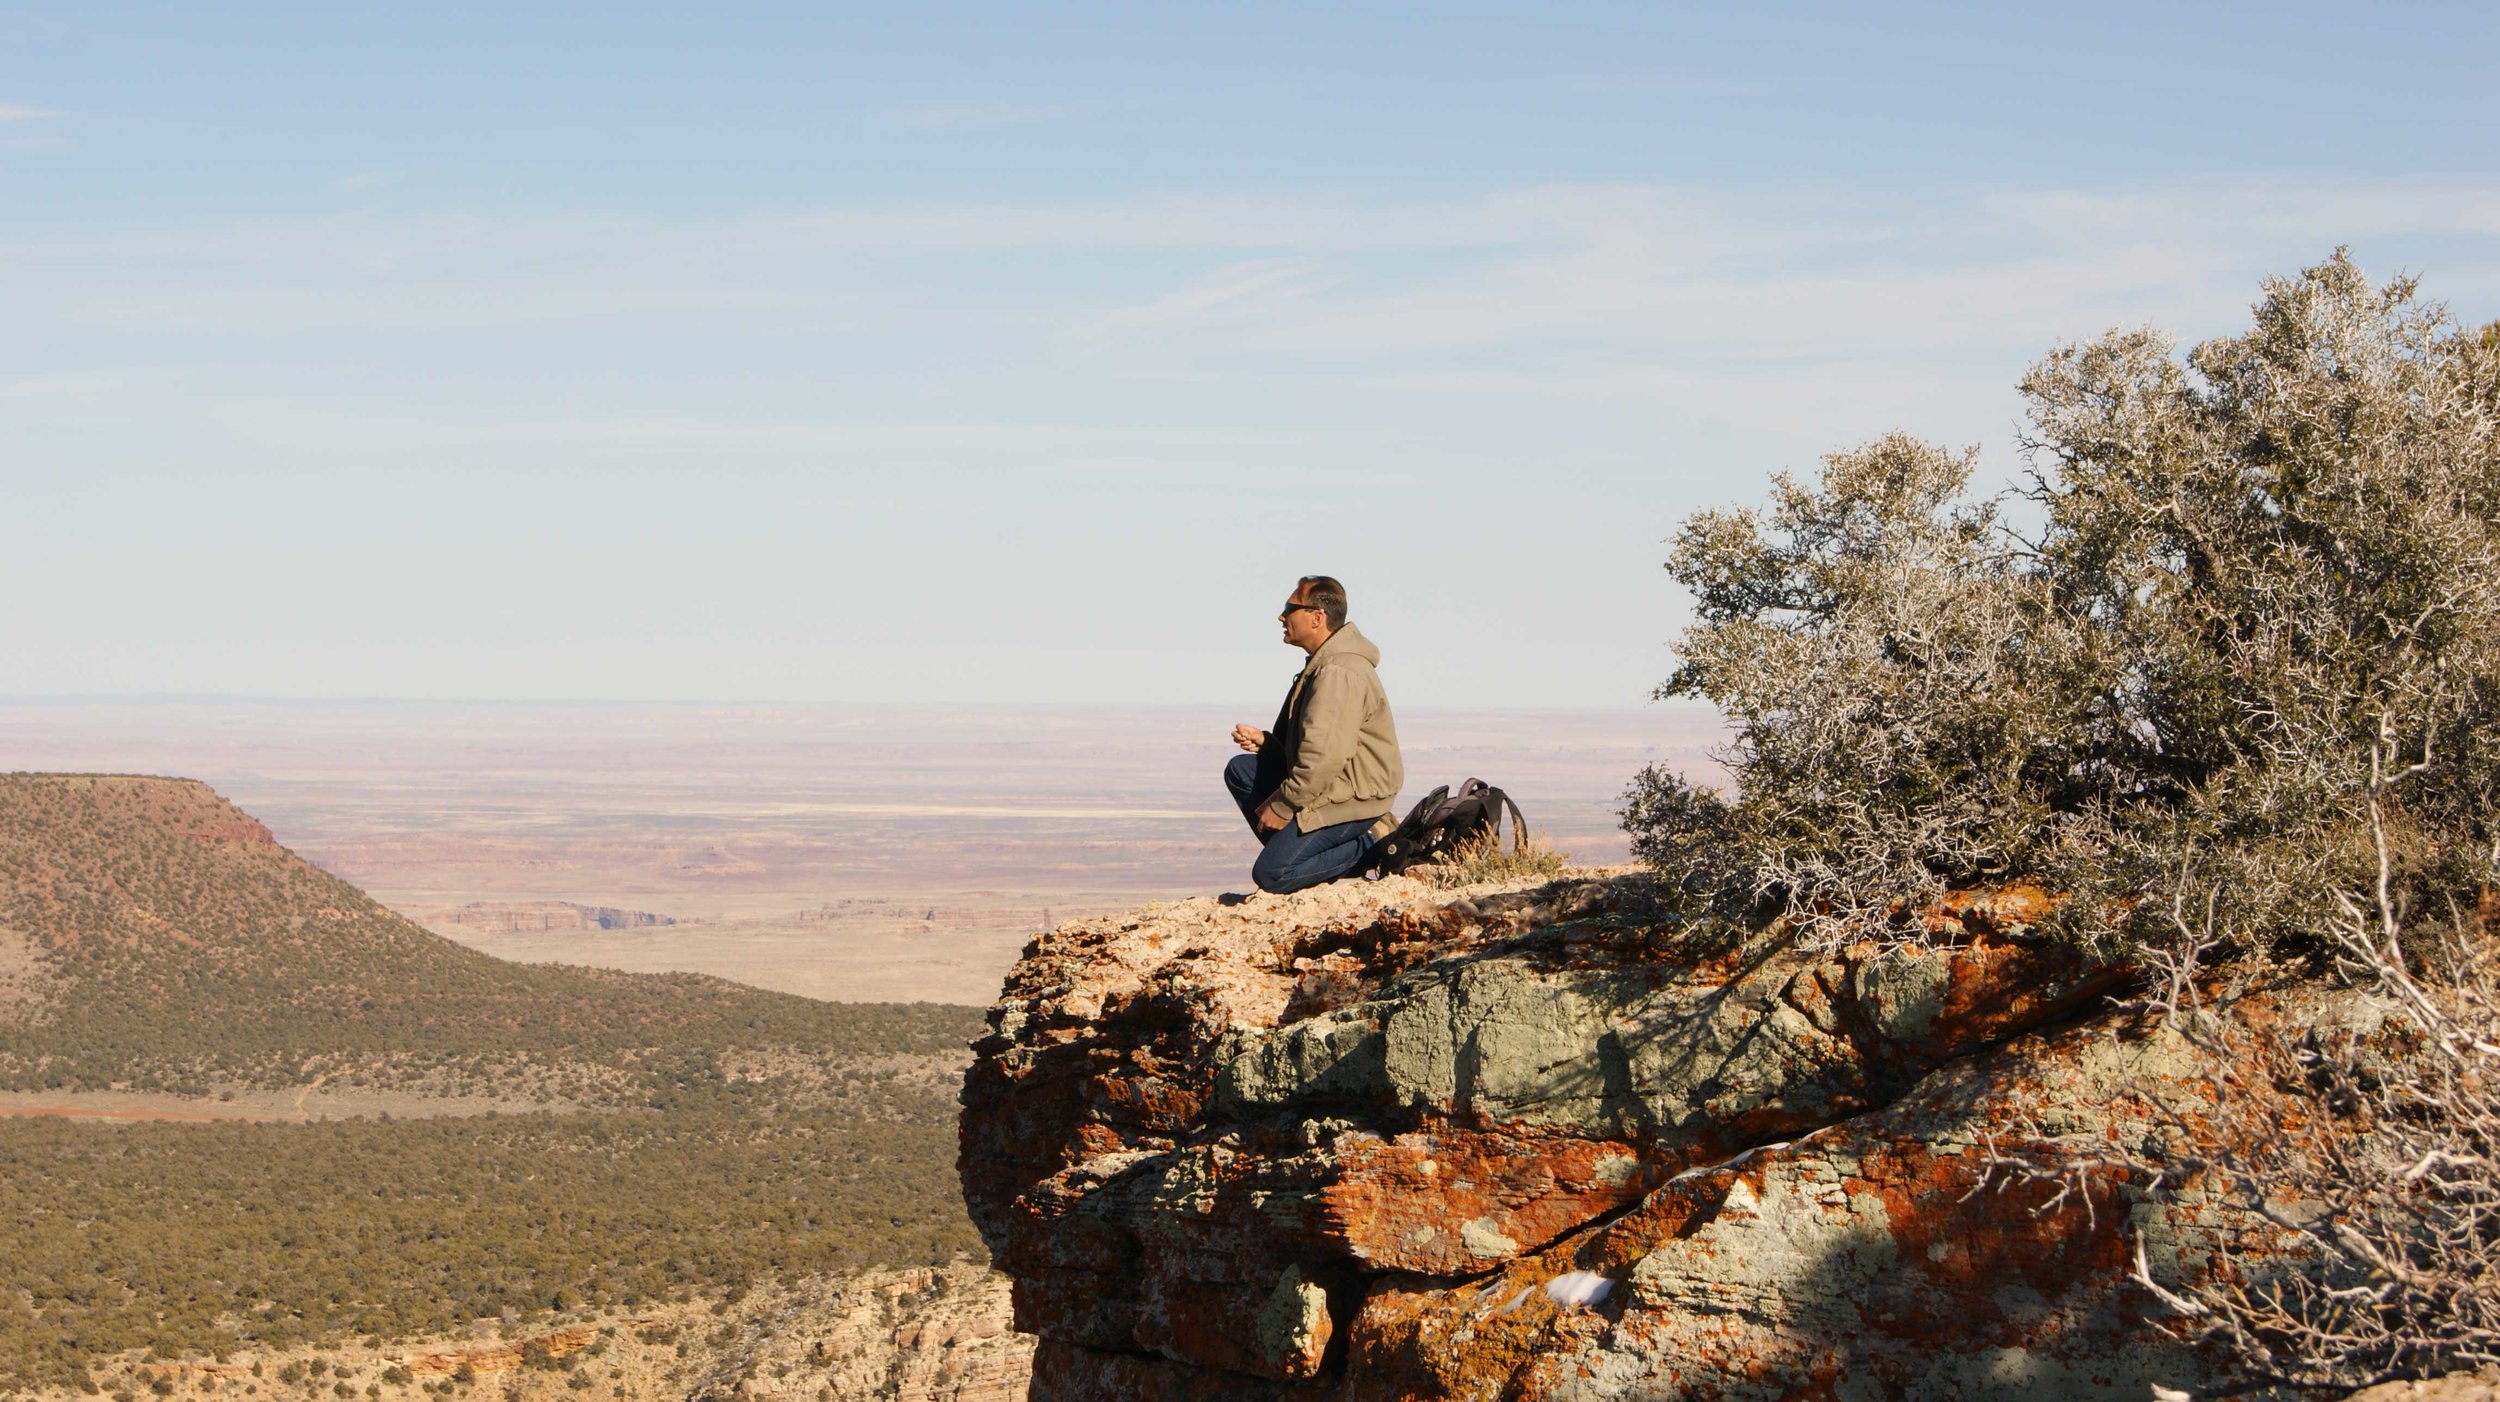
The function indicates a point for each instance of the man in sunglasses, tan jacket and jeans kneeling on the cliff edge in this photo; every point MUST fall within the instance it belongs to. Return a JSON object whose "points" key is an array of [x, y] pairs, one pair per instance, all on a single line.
{"points": [[1321, 786]]}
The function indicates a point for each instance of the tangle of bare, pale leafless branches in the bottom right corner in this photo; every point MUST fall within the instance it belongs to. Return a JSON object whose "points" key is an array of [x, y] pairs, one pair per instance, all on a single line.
{"points": [[2361, 1146]]}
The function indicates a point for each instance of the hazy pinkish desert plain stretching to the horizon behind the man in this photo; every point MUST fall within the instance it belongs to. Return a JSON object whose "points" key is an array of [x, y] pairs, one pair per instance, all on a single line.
{"points": [[839, 853]]}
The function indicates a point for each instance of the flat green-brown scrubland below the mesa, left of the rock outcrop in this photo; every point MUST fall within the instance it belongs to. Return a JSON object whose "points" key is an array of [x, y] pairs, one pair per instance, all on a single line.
{"points": [[196, 1238]]}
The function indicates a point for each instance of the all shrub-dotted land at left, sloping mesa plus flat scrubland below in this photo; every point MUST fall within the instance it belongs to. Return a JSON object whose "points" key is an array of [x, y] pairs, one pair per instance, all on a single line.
{"points": [[701, 1136]]}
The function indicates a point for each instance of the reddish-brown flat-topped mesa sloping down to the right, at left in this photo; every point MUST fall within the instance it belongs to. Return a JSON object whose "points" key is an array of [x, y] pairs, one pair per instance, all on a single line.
{"points": [[179, 946]]}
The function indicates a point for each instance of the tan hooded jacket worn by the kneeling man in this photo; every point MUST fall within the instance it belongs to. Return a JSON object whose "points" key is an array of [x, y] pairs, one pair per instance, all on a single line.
{"points": [[1346, 763]]}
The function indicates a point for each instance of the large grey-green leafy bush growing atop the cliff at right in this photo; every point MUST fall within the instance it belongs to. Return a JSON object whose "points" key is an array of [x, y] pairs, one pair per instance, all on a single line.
{"points": [[2244, 604]]}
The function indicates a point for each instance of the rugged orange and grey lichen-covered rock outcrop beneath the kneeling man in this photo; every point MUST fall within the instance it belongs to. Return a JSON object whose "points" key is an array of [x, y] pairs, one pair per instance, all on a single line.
{"points": [[1539, 1143]]}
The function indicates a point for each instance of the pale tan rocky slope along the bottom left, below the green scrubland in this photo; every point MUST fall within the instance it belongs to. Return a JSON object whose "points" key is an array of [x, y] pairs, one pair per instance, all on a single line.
{"points": [[901, 1336]]}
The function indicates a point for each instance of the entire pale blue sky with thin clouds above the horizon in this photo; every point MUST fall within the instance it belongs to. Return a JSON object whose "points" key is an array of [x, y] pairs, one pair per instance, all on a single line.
{"points": [[1029, 354]]}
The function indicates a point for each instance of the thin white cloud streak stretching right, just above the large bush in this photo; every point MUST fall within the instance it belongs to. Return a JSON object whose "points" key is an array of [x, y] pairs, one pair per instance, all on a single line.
{"points": [[1609, 279]]}
